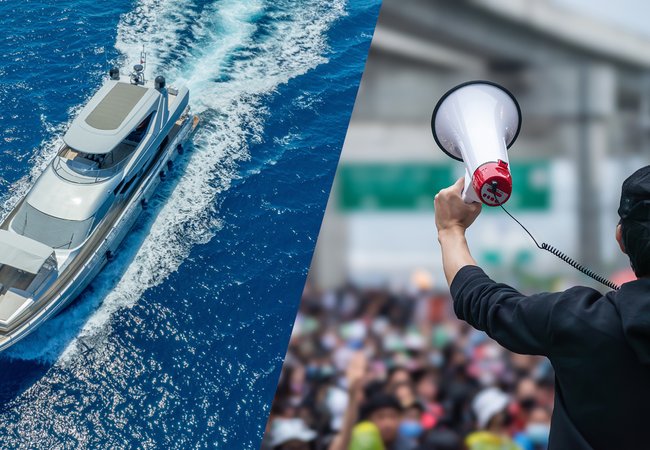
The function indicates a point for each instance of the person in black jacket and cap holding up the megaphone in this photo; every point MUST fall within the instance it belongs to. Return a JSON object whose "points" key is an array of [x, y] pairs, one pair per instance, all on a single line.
{"points": [[599, 345]]}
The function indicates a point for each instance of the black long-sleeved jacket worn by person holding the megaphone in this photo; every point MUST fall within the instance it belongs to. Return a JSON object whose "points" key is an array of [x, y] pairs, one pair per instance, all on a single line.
{"points": [[599, 347]]}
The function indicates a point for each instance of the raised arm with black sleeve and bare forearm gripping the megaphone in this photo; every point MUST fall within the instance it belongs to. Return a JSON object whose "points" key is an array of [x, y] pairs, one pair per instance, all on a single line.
{"points": [[521, 323]]}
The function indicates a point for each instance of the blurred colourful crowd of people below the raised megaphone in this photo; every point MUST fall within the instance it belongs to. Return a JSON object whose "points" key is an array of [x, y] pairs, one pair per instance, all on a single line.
{"points": [[393, 369]]}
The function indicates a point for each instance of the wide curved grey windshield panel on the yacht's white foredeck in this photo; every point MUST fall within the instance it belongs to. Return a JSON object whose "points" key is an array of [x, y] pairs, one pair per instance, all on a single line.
{"points": [[52, 231]]}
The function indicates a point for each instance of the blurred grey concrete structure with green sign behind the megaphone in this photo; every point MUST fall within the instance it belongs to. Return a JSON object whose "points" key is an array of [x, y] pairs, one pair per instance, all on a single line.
{"points": [[583, 83]]}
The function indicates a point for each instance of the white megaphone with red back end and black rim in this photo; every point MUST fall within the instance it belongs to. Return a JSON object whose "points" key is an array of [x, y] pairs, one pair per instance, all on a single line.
{"points": [[476, 122]]}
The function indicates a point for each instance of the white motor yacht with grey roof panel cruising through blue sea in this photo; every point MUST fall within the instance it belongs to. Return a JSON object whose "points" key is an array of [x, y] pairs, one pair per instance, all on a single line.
{"points": [[72, 221]]}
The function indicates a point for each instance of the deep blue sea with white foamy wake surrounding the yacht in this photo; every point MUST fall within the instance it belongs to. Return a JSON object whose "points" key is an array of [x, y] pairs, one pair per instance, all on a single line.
{"points": [[178, 343]]}
